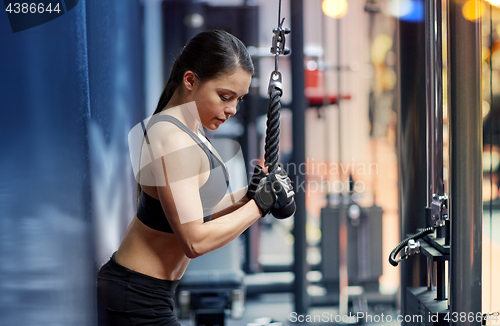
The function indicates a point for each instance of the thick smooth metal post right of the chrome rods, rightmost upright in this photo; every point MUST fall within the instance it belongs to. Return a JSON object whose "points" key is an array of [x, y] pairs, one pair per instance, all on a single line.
{"points": [[465, 125]]}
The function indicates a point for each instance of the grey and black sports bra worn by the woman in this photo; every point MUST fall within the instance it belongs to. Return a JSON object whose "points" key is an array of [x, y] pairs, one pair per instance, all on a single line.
{"points": [[149, 210]]}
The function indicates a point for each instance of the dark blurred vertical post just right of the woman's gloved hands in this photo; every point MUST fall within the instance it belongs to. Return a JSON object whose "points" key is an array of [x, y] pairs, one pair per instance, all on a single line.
{"points": [[299, 156]]}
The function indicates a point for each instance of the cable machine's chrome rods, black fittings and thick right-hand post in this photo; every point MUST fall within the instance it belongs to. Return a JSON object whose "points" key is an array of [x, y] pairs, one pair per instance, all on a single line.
{"points": [[452, 224]]}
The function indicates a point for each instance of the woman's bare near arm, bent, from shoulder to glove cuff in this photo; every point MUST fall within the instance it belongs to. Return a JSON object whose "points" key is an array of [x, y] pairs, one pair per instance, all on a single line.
{"points": [[178, 191]]}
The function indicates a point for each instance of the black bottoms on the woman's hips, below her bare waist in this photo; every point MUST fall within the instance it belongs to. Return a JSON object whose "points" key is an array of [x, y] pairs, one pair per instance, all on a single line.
{"points": [[127, 298]]}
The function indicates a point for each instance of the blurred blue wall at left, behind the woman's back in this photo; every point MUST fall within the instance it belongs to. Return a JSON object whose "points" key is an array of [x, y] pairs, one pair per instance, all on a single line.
{"points": [[70, 91]]}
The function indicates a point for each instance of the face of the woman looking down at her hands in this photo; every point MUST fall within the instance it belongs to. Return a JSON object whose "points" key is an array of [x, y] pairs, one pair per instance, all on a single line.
{"points": [[217, 99]]}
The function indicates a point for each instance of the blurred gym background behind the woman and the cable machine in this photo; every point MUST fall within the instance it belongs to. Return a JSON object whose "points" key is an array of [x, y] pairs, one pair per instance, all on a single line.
{"points": [[73, 88]]}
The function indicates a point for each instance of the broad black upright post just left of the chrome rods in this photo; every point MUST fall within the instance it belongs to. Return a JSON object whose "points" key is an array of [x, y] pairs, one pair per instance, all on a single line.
{"points": [[411, 149]]}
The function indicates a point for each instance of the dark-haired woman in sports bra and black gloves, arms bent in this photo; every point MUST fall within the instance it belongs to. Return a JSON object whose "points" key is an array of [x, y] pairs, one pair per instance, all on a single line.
{"points": [[183, 210]]}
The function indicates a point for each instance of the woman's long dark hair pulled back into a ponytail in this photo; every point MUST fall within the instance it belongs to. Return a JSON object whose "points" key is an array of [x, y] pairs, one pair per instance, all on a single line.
{"points": [[209, 55]]}
